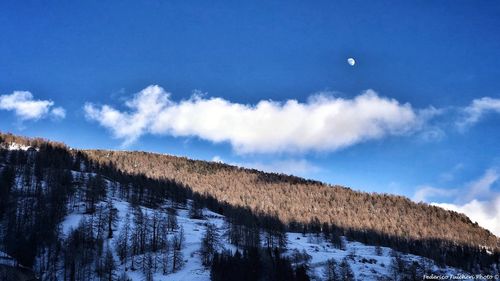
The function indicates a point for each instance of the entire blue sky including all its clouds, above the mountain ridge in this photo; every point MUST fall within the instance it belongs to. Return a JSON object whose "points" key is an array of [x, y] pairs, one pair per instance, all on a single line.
{"points": [[417, 115]]}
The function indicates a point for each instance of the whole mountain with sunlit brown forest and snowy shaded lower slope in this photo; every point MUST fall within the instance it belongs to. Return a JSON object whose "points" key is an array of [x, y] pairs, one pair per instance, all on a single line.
{"points": [[64, 214]]}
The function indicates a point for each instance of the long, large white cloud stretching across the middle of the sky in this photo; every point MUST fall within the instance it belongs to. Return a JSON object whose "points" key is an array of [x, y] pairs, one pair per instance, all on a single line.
{"points": [[323, 123]]}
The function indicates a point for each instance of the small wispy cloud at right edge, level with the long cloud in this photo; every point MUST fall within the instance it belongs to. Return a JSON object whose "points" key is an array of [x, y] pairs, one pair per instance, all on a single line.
{"points": [[478, 107]]}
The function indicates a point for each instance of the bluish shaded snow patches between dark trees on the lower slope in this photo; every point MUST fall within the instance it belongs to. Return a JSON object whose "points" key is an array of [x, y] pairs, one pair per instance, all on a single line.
{"points": [[367, 262]]}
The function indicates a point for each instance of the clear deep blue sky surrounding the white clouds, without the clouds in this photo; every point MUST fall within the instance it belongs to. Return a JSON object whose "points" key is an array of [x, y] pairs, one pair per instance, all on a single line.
{"points": [[427, 53]]}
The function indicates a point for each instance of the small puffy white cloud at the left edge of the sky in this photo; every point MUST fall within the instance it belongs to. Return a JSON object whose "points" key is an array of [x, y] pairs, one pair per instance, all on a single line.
{"points": [[27, 108]]}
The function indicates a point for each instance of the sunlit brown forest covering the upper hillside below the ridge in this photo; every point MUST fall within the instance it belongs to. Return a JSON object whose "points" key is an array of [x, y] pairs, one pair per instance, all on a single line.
{"points": [[297, 201]]}
